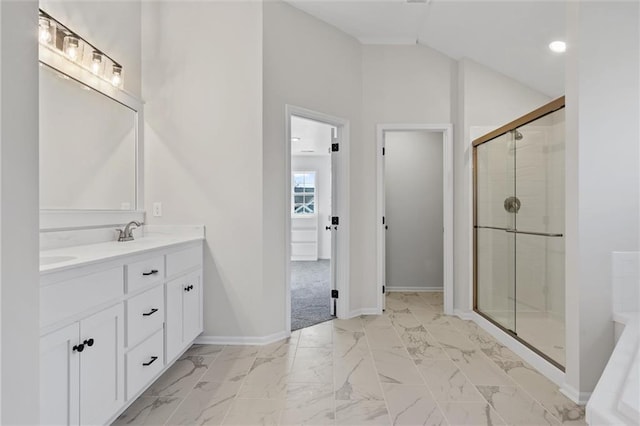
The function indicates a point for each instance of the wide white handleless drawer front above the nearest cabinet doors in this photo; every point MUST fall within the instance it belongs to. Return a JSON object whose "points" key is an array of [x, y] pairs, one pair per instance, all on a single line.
{"points": [[71, 297]]}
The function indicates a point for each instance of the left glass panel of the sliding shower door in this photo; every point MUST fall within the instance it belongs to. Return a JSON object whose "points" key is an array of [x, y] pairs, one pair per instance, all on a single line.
{"points": [[495, 247]]}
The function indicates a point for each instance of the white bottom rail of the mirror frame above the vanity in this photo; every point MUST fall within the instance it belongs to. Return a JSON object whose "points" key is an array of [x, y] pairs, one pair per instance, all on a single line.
{"points": [[56, 220]]}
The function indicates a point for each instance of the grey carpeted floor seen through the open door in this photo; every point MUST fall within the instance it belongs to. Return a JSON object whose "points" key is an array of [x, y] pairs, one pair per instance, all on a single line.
{"points": [[310, 291]]}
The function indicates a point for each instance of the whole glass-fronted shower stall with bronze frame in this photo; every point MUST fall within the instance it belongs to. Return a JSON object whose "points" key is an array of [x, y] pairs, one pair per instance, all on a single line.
{"points": [[519, 229]]}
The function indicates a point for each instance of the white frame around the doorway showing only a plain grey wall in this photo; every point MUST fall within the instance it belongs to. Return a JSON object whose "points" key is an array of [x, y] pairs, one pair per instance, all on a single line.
{"points": [[447, 205]]}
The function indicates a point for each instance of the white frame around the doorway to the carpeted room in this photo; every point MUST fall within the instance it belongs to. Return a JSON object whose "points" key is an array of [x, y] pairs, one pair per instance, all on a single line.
{"points": [[341, 261]]}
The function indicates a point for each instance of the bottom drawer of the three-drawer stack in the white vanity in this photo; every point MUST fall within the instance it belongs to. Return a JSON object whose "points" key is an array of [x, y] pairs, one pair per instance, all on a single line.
{"points": [[143, 363]]}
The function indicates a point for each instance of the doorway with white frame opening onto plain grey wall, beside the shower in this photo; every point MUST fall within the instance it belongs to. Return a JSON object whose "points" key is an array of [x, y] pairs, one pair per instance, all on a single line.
{"points": [[415, 206]]}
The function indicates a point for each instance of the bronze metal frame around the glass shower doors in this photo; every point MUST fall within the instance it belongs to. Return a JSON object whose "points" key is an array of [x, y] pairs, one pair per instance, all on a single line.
{"points": [[544, 110]]}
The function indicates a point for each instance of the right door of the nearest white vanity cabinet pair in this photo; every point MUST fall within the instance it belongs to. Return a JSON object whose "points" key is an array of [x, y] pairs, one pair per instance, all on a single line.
{"points": [[102, 366]]}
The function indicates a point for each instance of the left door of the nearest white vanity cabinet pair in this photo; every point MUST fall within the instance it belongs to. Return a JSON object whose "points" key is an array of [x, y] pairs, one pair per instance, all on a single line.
{"points": [[59, 377]]}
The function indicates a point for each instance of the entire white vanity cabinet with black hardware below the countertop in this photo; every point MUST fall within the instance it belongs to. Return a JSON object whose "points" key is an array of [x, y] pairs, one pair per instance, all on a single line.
{"points": [[109, 329]]}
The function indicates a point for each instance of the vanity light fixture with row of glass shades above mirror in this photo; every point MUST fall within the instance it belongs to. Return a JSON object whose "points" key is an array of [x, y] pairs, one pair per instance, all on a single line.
{"points": [[59, 39]]}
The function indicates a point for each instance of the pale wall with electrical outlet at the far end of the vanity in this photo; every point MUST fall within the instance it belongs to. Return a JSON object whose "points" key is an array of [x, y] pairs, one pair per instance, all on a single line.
{"points": [[203, 154]]}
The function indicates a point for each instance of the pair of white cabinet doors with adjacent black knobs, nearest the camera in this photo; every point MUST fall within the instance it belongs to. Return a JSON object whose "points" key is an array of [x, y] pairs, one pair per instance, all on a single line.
{"points": [[82, 371]]}
